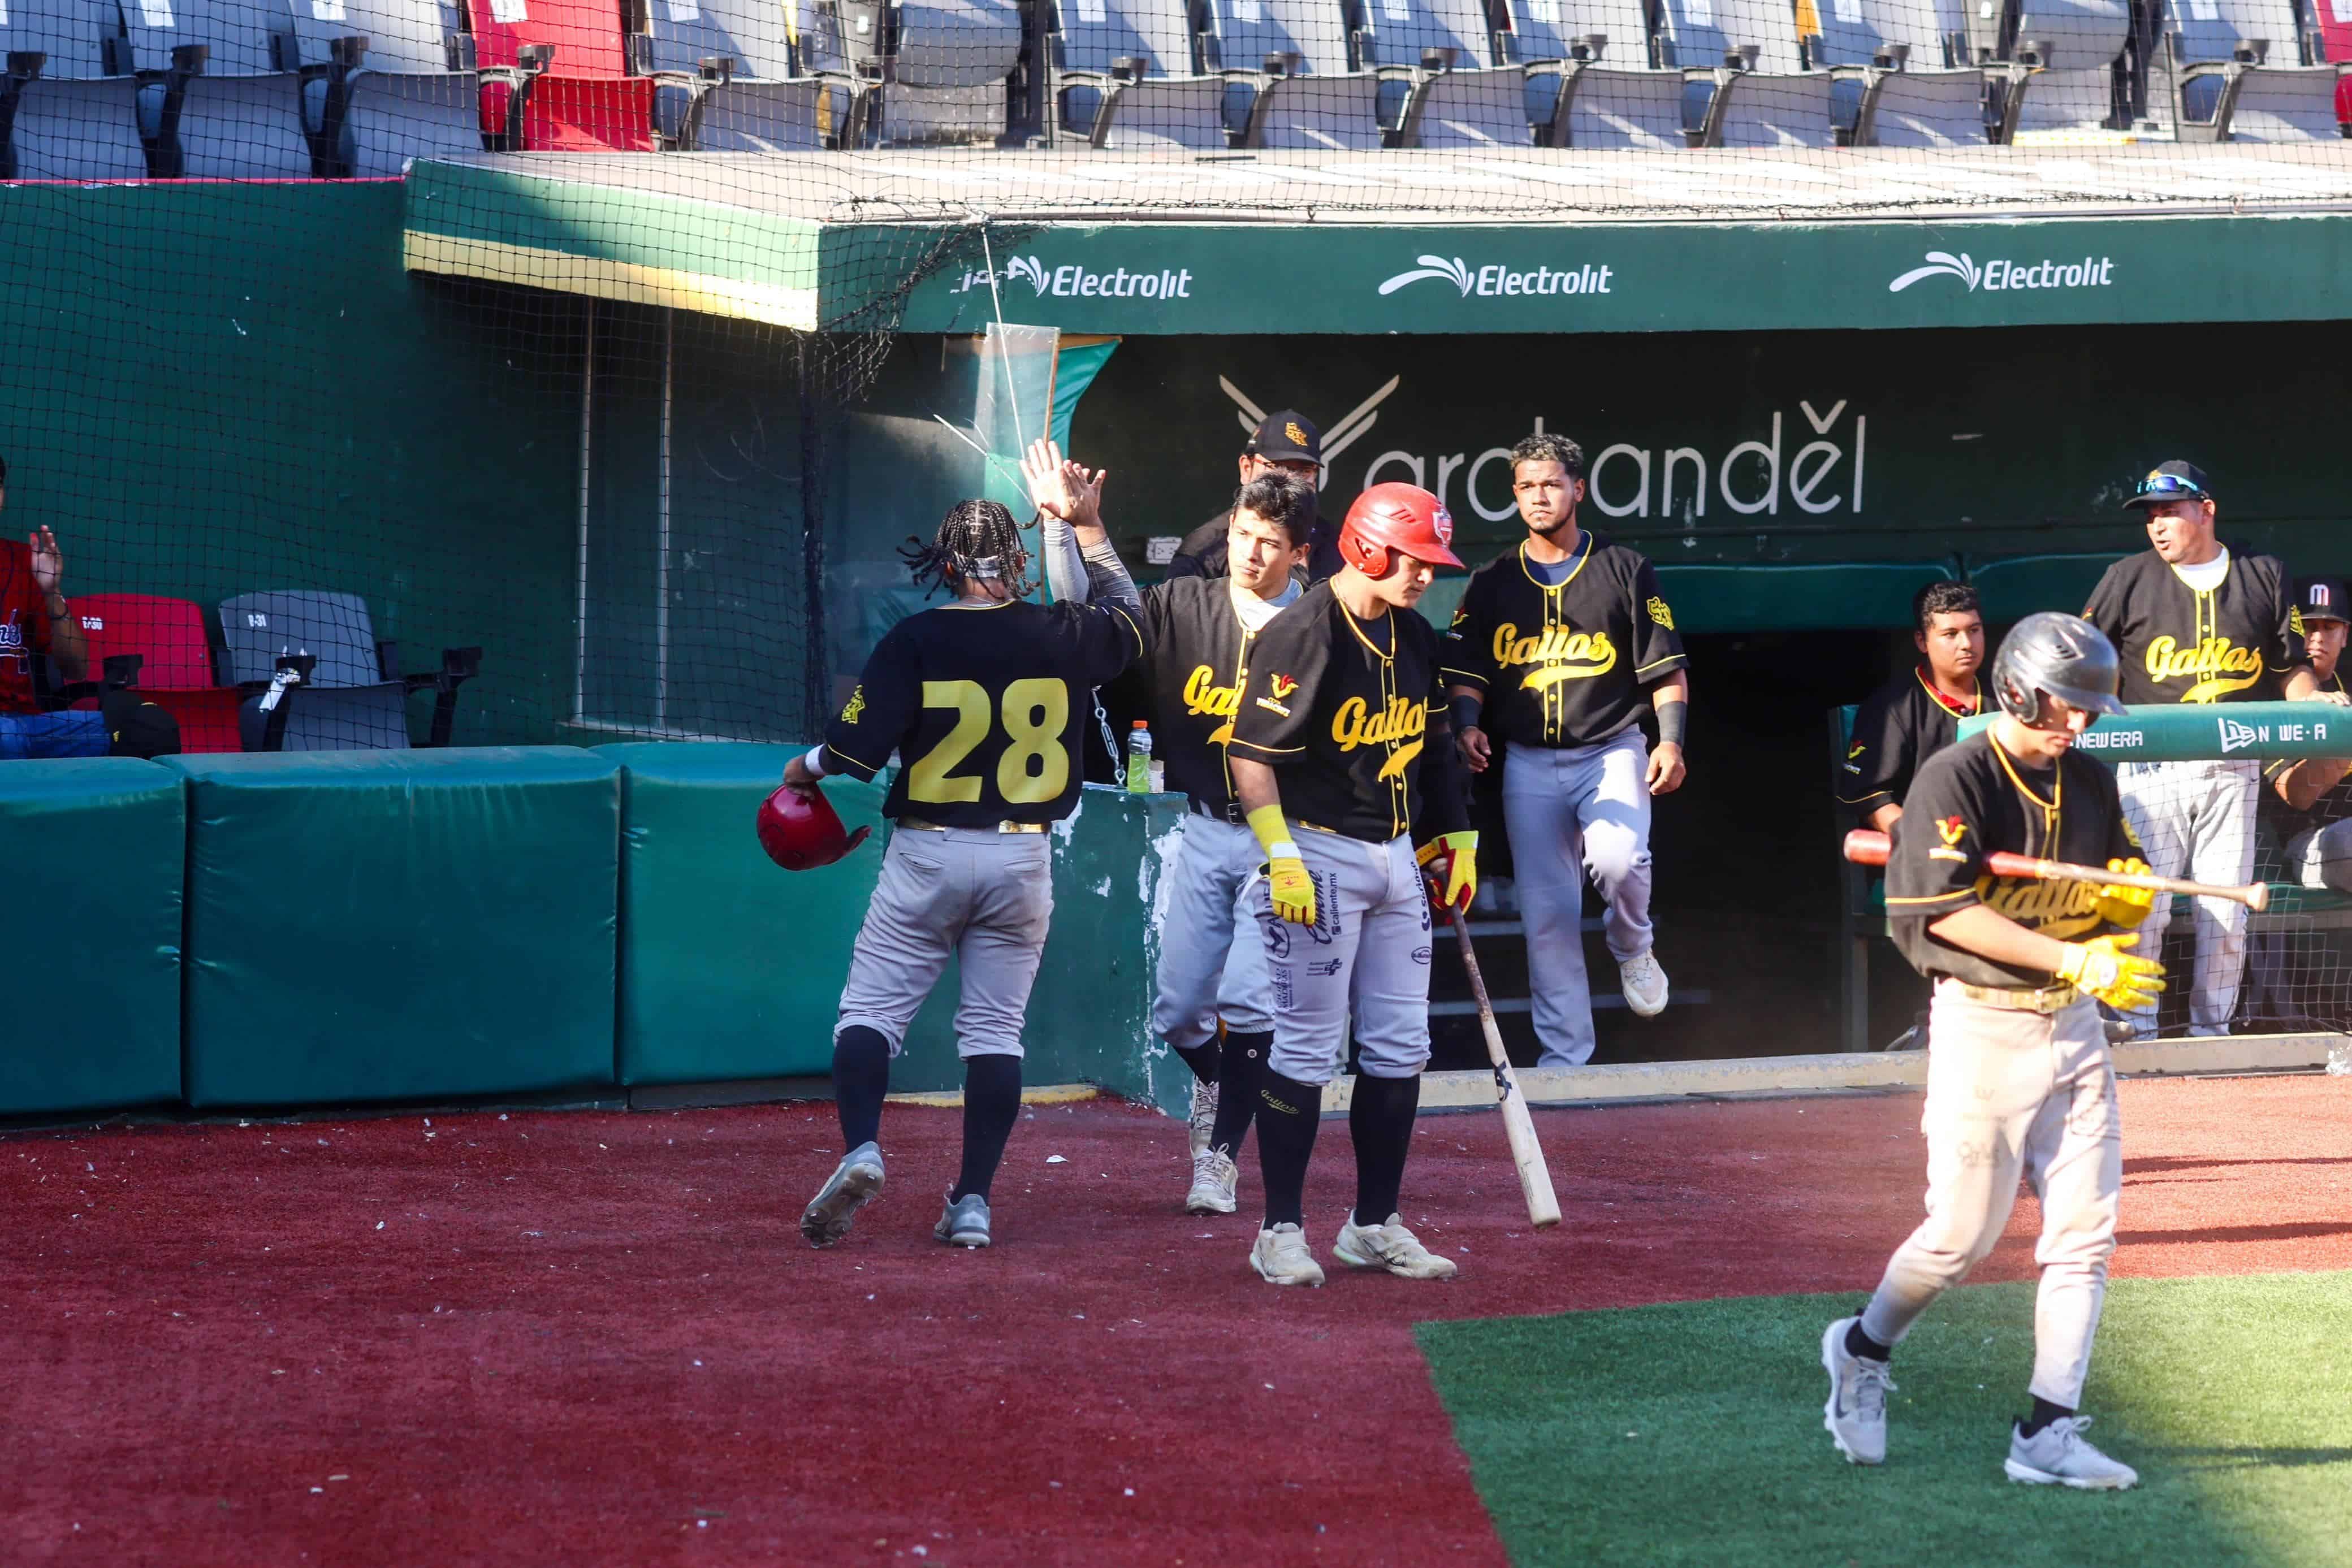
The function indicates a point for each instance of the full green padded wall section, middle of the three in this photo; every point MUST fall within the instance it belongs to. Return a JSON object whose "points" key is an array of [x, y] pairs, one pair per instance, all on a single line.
{"points": [[401, 925]]}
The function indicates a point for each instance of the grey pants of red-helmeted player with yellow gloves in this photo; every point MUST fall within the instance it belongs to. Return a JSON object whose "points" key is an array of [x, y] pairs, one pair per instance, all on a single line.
{"points": [[1368, 956]]}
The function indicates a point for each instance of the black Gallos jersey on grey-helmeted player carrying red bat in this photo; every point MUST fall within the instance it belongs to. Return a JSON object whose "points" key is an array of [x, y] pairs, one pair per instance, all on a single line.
{"points": [[1972, 800]]}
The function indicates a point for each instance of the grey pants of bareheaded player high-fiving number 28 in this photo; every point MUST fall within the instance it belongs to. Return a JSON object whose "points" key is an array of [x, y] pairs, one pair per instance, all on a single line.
{"points": [[1212, 963]]}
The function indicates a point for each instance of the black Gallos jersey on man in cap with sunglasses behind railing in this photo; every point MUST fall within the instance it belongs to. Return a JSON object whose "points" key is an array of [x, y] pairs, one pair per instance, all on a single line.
{"points": [[2179, 645]]}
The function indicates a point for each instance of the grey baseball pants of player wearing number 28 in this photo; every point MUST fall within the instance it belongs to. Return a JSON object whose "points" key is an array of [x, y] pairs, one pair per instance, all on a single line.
{"points": [[970, 892]]}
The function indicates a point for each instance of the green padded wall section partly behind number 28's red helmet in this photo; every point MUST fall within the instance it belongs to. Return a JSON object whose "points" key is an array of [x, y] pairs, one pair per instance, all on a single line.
{"points": [[730, 965]]}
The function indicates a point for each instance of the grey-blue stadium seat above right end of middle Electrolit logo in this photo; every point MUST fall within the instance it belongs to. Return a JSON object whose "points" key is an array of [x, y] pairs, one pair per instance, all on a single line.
{"points": [[1603, 86]]}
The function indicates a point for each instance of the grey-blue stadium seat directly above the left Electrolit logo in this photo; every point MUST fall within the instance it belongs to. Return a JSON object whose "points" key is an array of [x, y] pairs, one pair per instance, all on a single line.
{"points": [[1125, 76]]}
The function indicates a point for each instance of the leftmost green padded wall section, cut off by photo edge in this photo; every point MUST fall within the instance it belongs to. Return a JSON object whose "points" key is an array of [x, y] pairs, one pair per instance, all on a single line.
{"points": [[95, 855]]}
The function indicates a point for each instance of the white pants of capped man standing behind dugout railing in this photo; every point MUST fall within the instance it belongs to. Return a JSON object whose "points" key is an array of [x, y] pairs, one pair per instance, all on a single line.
{"points": [[2196, 819]]}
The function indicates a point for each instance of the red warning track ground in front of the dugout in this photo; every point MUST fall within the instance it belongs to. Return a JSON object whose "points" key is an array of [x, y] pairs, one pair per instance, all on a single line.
{"points": [[599, 1339]]}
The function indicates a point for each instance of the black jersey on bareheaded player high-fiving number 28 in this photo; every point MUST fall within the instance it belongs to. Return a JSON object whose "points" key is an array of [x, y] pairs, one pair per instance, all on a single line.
{"points": [[1196, 652]]}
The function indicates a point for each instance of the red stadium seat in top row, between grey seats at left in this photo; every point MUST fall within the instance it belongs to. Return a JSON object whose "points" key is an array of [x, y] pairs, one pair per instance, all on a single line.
{"points": [[587, 100]]}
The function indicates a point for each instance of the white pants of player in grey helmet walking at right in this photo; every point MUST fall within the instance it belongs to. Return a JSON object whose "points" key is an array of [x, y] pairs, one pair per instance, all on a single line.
{"points": [[2014, 1094]]}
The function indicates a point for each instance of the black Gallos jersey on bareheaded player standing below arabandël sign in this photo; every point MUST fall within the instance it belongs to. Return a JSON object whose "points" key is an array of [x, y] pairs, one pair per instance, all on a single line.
{"points": [[1570, 664]]}
